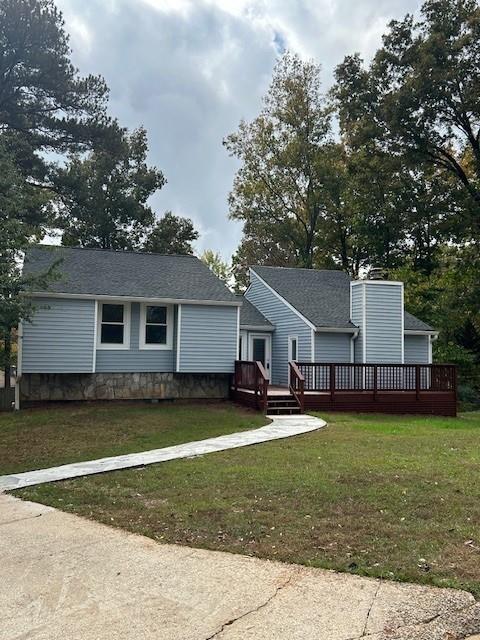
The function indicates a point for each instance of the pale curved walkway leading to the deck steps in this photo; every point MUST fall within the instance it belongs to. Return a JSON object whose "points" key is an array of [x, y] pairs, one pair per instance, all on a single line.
{"points": [[280, 427]]}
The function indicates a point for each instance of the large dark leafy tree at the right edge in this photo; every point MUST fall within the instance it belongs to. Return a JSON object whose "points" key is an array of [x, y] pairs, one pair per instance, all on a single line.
{"points": [[418, 104]]}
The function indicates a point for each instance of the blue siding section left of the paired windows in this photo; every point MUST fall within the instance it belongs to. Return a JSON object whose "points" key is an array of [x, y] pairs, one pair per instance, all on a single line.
{"points": [[60, 337]]}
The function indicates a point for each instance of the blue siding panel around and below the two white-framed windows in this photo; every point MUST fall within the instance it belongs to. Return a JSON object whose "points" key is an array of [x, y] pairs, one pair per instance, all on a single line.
{"points": [[136, 360]]}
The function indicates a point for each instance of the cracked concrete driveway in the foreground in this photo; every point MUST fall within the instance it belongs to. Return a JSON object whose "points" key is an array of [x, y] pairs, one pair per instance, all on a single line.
{"points": [[66, 577]]}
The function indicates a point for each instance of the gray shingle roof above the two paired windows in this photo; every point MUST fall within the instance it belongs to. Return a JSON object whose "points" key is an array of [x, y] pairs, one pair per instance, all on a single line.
{"points": [[126, 273]]}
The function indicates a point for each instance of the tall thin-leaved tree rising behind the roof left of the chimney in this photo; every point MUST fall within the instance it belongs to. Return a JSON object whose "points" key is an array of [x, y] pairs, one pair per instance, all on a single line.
{"points": [[277, 191]]}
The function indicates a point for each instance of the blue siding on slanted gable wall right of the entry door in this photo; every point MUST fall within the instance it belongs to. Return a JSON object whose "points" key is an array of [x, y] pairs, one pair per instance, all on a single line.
{"points": [[286, 323]]}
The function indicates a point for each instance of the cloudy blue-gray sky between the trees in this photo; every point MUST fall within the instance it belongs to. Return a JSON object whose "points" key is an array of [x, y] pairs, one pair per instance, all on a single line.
{"points": [[190, 70]]}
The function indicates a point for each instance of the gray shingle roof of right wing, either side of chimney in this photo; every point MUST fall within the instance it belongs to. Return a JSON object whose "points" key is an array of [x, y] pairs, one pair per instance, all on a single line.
{"points": [[321, 296]]}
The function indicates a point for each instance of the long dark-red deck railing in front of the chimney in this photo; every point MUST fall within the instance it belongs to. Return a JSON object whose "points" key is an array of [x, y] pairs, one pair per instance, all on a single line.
{"points": [[418, 378]]}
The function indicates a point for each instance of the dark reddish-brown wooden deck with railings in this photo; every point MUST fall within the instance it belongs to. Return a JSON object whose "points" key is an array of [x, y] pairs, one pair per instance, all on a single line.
{"points": [[390, 389]]}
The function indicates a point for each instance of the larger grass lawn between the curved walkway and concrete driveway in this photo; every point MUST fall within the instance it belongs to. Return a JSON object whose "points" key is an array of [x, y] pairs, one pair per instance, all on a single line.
{"points": [[397, 497]]}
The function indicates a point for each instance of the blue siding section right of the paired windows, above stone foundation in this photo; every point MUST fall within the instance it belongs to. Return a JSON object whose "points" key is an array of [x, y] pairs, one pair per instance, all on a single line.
{"points": [[208, 338]]}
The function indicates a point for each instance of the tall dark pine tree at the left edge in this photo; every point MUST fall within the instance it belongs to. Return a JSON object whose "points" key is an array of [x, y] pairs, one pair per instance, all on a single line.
{"points": [[45, 107]]}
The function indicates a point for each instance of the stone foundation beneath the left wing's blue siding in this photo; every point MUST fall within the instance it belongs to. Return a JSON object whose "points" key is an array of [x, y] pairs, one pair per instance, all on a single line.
{"points": [[49, 387]]}
